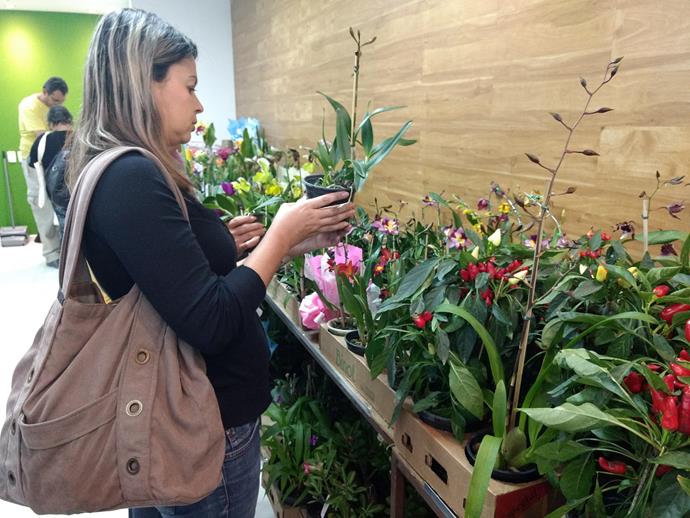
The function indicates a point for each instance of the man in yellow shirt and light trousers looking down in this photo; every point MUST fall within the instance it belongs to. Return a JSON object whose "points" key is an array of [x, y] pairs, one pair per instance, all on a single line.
{"points": [[33, 111]]}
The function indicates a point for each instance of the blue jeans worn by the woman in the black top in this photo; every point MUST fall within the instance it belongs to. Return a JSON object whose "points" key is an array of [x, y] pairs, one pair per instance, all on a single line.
{"points": [[238, 491]]}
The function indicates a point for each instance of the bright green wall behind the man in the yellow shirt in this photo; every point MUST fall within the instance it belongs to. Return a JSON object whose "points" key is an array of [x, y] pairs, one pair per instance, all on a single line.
{"points": [[34, 46]]}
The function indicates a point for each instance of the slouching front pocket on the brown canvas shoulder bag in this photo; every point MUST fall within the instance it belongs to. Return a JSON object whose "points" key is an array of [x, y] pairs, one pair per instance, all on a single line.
{"points": [[55, 432]]}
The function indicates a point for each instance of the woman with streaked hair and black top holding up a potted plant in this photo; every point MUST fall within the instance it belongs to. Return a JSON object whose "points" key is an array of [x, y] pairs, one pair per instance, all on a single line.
{"points": [[140, 83]]}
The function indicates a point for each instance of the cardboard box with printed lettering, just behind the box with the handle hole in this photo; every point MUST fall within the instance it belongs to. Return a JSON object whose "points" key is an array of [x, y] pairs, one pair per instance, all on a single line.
{"points": [[354, 367]]}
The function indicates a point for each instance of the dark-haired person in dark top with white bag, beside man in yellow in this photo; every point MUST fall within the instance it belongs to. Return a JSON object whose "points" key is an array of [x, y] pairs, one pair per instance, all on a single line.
{"points": [[52, 160]]}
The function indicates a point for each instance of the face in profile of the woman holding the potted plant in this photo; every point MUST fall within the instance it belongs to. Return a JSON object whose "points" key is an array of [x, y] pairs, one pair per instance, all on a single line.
{"points": [[177, 103]]}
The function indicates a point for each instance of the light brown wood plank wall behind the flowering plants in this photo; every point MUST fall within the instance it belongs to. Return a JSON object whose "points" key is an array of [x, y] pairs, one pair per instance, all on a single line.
{"points": [[478, 77]]}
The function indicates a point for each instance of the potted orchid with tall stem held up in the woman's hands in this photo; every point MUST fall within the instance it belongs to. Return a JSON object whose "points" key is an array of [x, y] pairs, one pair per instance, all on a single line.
{"points": [[342, 169]]}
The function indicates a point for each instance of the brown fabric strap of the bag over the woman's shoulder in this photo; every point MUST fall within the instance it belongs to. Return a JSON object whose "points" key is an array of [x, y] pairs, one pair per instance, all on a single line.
{"points": [[73, 268]]}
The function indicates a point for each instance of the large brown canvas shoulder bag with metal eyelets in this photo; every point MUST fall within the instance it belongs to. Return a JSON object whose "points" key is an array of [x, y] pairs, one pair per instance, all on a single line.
{"points": [[108, 408]]}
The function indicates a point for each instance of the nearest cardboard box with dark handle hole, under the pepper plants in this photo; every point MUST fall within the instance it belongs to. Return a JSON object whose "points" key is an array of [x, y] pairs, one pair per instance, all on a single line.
{"points": [[440, 460]]}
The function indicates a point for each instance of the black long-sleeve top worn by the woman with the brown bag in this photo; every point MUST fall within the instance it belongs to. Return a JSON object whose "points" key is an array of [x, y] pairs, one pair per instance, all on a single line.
{"points": [[136, 233]]}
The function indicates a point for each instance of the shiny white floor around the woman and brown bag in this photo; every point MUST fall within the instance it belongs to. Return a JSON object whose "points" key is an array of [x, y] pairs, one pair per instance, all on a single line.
{"points": [[27, 289]]}
